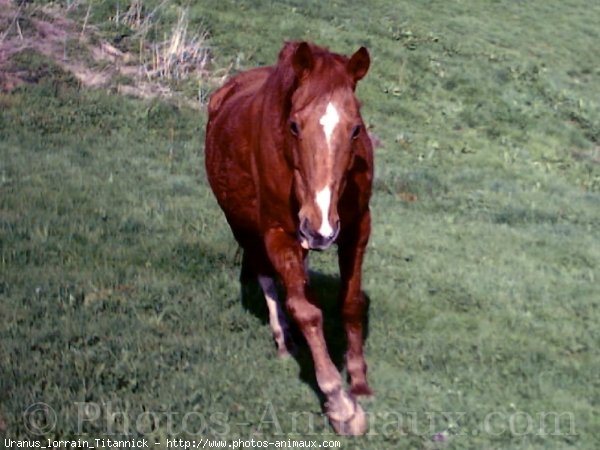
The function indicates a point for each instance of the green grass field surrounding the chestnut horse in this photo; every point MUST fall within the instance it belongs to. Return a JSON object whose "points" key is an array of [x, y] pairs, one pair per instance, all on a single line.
{"points": [[119, 300]]}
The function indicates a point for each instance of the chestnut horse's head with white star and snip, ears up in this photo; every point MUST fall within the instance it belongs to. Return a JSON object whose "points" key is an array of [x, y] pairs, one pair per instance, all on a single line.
{"points": [[324, 127]]}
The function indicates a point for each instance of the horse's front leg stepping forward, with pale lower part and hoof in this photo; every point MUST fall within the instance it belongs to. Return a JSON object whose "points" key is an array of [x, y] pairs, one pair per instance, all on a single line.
{"points": [[286, 255]]}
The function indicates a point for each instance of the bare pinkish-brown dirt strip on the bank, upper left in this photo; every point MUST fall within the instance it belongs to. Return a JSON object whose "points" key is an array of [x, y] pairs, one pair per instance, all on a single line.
{"points": [[78, 50]]}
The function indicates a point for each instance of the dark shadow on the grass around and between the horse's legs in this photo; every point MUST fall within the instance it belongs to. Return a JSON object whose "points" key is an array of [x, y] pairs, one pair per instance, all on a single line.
{"points": [[326, 288]]}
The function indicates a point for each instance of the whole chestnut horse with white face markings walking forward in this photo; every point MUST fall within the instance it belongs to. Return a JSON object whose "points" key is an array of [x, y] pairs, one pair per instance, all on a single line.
{"points": [[291, 165]]}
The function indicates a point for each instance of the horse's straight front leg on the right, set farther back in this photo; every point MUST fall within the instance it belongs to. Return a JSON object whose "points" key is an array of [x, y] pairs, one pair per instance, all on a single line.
{"points": [[351, 248]]}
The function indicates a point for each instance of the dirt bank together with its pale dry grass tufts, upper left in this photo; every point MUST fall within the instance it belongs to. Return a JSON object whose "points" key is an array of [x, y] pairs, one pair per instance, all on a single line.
{"points": [[184, 55]]}
